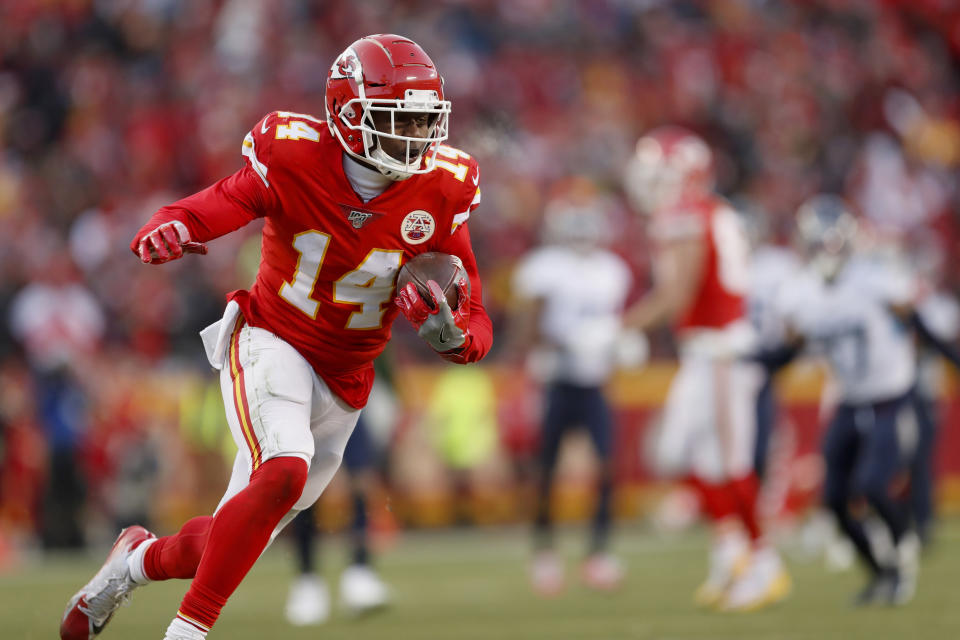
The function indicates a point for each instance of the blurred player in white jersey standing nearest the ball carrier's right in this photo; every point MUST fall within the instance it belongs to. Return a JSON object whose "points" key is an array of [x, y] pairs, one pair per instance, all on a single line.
{"points": [[571, 293]]}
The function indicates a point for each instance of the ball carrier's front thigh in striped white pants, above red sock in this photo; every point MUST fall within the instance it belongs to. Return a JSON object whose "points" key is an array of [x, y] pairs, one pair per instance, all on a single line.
{"points": [[268, 395]]}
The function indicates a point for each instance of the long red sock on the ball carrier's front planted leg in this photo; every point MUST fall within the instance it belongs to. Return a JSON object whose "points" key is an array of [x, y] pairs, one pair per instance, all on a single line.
{"points": [[238, 535]]}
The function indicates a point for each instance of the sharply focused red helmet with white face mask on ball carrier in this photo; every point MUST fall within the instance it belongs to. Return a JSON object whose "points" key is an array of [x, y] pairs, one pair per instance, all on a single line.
{"points": [[390, 78]]}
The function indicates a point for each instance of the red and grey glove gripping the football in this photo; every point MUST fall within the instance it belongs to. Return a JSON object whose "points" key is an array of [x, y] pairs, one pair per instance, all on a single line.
{"points": [[441, 328]]}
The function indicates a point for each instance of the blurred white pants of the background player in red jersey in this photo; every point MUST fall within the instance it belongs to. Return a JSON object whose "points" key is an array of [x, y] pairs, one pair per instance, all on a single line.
{"points": [[709, 421]]}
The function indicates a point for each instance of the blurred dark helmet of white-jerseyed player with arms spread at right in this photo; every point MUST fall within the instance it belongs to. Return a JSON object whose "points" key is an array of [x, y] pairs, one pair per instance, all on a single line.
{"points": [[826, 232]]}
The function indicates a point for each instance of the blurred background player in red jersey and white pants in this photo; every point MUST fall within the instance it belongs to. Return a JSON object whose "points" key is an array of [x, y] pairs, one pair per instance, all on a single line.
{"points": [[701, 274]]}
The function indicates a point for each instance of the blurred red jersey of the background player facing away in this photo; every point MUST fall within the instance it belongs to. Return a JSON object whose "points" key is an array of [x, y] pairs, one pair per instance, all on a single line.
{"points": [[722, 289]]}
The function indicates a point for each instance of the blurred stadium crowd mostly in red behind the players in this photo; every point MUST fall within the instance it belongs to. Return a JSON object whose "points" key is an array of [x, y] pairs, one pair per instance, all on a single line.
{"points": [[109, 109]]}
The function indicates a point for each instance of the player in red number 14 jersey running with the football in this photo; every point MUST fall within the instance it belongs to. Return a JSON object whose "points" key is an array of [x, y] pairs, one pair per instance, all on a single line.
{"points": [[346, 199]]}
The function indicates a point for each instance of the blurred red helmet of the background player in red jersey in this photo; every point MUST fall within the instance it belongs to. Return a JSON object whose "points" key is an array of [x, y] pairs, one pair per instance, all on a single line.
{"points": [[669, 164]]}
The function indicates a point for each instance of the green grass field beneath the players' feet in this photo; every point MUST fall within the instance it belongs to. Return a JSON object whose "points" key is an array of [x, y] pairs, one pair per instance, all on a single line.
{"points": [[472, 585]]}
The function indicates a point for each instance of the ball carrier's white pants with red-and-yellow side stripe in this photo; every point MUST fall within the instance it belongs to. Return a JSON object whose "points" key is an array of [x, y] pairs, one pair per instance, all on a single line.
{"points": [[276, 405]]}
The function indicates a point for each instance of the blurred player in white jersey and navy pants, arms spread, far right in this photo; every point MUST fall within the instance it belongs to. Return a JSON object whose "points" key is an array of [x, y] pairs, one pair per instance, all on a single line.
{"points": [[855, 309]]}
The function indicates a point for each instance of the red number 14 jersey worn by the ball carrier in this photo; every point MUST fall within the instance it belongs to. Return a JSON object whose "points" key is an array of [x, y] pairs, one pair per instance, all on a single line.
{"points": [[329, 261]]}
